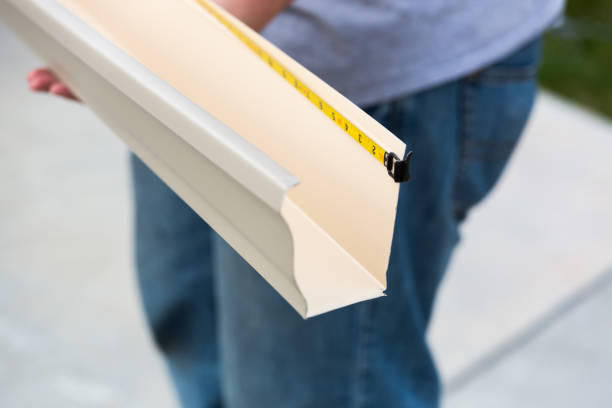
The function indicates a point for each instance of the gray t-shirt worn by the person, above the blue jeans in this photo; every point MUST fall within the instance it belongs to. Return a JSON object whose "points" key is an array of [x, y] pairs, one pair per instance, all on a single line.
{"points": [[375, 50]]}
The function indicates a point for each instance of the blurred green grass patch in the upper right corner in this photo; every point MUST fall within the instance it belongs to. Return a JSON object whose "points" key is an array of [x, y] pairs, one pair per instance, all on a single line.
{"points": [[577, 59]]}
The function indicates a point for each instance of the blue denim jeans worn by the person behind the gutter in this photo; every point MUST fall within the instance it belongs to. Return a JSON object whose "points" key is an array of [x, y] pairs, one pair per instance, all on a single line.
{"points": [[231, 341]]}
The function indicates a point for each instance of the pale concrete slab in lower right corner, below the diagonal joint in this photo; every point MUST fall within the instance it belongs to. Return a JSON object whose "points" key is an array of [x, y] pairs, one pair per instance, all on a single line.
{"points": [[566, 365]]}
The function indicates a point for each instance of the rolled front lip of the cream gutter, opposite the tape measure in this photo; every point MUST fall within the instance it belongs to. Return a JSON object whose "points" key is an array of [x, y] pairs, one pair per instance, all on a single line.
{"points": [[248, 165]]}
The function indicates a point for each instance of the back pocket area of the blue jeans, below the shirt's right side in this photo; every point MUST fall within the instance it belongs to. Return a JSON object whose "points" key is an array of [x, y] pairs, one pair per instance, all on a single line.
{"points": [[495, 105]]}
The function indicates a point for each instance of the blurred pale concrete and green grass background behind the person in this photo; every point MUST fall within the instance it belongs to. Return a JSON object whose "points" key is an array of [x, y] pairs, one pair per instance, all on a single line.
{"points": [[523, 317]]}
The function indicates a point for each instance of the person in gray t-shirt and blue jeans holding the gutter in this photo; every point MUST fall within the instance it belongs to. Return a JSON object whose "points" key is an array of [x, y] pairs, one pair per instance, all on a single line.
{"points": [[455, 80]]}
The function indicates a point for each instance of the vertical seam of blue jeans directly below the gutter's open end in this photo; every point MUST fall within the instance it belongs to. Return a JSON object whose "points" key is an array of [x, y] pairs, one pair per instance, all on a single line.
{"points": [[362, 366]]}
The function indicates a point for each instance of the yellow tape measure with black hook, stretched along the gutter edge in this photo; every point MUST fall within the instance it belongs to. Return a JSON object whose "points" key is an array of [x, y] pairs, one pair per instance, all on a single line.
{"points": [[397, 169]]}
